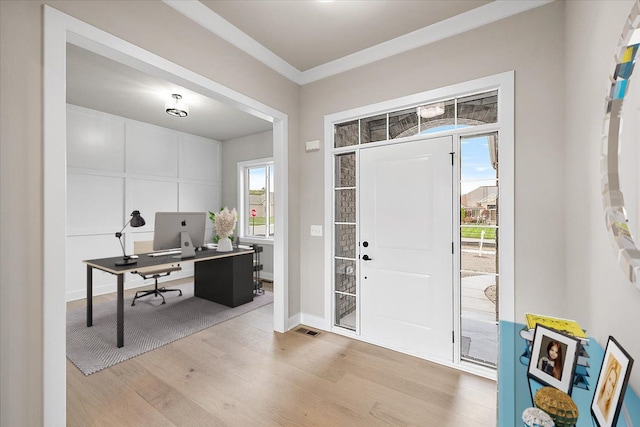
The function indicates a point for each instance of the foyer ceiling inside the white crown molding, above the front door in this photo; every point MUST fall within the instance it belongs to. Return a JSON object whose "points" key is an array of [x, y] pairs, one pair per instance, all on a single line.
{"points": [[310, 33]]}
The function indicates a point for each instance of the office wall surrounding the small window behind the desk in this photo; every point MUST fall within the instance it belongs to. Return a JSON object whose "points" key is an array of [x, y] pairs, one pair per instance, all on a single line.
{"points": [[258, 146]]}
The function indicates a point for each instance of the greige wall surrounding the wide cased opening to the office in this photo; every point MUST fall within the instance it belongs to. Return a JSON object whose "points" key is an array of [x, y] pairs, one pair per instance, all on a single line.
{"points": [[141, 23]]}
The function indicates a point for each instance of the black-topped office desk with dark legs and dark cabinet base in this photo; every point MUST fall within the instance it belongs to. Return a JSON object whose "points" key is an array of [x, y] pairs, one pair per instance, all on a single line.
{"points": [[222, 277]]}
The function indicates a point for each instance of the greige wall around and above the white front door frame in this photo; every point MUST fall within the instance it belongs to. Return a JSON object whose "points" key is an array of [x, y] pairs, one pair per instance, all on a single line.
{"points": [[532, 44]]}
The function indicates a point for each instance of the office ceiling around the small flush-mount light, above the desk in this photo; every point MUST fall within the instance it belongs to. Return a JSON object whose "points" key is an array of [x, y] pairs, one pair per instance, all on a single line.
{"points": [[99, 83]]}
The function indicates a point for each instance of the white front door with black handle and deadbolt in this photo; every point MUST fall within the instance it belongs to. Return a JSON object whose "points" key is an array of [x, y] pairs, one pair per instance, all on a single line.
{"points": [[406, 230]]}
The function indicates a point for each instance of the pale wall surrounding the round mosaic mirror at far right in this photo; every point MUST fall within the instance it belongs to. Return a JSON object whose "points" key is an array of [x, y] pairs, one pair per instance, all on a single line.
{"points": [[598, 294]]}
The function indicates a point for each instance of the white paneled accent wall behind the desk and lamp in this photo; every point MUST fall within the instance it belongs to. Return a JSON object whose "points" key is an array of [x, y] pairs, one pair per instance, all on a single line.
{"points": [[116, 165]]}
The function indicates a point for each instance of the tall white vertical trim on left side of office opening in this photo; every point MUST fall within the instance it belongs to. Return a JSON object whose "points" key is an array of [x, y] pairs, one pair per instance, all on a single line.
{"points": [[54, 180]]}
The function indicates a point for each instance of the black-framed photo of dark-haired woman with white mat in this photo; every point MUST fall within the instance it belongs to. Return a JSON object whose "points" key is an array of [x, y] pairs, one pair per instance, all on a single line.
{"points": [[553, 358]]}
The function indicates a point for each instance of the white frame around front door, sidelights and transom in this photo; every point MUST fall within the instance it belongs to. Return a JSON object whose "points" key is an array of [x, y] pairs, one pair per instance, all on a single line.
{"points": [[504, 82]]}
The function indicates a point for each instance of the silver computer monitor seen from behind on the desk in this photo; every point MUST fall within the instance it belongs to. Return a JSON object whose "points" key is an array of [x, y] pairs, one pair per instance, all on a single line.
{"points": [[183, 230]]}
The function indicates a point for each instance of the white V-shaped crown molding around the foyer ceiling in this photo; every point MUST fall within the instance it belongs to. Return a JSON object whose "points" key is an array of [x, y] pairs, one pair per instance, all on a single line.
{"points": [[472, 19]]}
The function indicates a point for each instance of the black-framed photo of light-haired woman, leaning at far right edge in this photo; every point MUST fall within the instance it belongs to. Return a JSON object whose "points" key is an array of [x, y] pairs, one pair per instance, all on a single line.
{"points": [[612, 384]]}
